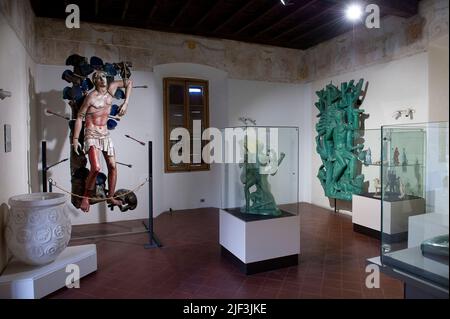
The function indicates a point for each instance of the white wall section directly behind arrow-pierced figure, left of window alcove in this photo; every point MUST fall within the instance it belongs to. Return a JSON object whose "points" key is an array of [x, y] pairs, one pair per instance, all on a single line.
{"points": [[140, 122]]}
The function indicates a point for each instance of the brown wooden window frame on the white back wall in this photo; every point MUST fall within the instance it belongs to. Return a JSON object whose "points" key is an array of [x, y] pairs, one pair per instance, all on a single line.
{"points": [[183, 167]]}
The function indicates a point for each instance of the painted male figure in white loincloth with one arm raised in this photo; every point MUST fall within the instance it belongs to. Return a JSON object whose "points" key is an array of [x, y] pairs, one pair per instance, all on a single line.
{"points": [[95, 111]]}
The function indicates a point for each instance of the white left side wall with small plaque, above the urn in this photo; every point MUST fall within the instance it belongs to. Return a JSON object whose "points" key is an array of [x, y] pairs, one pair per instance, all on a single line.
{"points": [[16, 72]]}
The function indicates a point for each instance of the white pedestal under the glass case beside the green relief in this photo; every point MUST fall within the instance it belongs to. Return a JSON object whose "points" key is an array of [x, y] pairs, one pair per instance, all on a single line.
{"points": [[366, 216]]}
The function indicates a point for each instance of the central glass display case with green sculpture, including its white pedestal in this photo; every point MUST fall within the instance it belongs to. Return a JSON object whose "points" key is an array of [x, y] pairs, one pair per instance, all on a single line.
{"points": [[259, 225]]}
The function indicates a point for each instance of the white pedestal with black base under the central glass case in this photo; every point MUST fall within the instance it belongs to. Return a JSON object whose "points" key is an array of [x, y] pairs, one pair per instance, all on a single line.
{"points": [[262, 244]]}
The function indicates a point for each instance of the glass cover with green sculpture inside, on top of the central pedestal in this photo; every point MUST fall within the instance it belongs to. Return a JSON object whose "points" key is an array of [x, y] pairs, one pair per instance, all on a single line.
{"points": [[261, 171]]}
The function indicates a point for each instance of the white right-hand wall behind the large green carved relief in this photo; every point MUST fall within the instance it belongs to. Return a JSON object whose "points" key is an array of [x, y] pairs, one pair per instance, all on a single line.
{"points": [[392, 86]]}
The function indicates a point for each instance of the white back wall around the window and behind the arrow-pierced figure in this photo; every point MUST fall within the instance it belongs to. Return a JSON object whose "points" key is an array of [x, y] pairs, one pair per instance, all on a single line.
{"points": [[269, 103]]}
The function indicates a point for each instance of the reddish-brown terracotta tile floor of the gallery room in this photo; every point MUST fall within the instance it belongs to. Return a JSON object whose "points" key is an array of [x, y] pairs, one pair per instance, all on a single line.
{"points": [[332, 262]]}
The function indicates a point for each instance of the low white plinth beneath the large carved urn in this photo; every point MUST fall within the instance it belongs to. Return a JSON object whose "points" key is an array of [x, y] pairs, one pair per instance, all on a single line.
{"points": [[21, 281]]}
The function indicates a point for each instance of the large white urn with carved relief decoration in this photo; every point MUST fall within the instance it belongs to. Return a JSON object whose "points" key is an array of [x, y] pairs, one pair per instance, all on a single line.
{"points": [[38, 227]]}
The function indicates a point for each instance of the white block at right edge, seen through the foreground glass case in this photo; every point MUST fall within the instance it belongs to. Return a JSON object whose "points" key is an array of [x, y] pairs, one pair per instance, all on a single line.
{"points": [[426, 226]]}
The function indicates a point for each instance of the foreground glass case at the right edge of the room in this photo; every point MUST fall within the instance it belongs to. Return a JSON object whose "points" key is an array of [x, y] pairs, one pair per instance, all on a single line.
{"points": [[415, 207]]}
